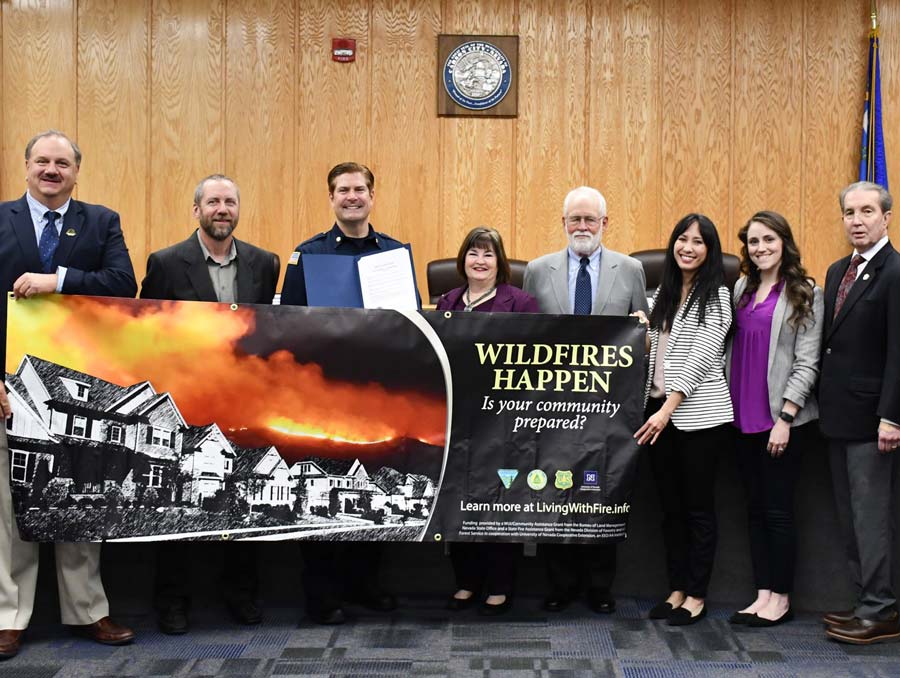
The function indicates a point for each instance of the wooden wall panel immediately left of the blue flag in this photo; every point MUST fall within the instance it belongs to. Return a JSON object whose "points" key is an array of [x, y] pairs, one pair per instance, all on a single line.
{"points": [[833, 93]]}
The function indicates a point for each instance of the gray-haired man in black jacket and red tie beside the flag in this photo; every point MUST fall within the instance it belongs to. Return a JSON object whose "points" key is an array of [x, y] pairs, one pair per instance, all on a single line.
{"points": [[859, 404]]}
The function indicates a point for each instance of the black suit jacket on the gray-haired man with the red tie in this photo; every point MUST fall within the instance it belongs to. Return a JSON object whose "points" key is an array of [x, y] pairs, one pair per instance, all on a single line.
{"points": [[860, 372]]}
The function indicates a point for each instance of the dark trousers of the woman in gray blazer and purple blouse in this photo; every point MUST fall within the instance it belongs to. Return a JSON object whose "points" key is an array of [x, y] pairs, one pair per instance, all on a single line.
{"points": [[769, 483]]}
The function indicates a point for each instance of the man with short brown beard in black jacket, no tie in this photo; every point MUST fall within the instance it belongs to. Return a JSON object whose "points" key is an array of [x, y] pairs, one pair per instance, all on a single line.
{"points": [[211, 265]]}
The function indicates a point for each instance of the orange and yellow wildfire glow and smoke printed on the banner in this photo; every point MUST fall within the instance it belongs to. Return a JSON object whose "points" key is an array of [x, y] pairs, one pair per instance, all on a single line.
{"points": [[190, 350]]}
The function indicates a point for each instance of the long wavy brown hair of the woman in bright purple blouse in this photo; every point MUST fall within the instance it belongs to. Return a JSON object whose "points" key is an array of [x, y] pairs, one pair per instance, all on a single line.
{"points": [[798, 286]]}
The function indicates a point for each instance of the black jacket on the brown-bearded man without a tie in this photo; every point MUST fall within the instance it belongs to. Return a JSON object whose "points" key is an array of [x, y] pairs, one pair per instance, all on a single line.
{"points": [[179, 273]]}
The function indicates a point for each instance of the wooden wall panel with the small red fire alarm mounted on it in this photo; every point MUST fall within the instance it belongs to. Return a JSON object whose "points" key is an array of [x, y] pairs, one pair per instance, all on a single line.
{"points": [[333, 104]]}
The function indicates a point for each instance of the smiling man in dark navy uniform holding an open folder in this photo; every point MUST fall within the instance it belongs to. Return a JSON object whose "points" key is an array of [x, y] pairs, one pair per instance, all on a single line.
{"points": [[339, 571]]}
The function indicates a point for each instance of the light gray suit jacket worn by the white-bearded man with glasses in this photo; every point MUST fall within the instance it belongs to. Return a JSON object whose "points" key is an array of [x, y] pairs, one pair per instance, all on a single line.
{"points": [[622, 288]]}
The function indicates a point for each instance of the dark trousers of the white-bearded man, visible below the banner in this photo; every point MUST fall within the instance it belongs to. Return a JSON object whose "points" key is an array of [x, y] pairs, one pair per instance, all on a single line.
{"points": [[575, 567]]}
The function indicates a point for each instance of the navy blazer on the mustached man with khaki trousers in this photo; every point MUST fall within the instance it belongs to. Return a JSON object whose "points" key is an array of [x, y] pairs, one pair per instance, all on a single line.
{"points": [[91, 247]]}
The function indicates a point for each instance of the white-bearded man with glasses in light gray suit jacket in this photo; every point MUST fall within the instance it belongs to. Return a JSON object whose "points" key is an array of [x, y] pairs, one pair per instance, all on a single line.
{"points": [[584, 279]]}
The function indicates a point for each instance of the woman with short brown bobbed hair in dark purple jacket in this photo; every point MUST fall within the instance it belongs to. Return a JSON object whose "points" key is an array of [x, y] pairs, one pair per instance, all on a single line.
{"points": [[482, 262]]}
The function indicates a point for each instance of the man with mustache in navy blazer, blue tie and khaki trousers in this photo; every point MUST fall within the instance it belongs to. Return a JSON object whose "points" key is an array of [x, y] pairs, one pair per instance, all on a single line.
{"points": [[51, 243]]}
